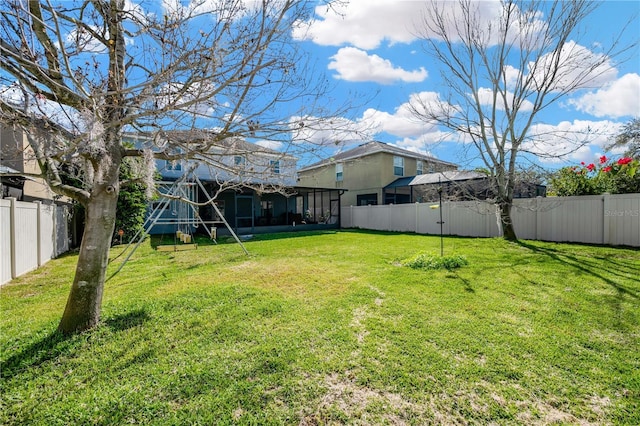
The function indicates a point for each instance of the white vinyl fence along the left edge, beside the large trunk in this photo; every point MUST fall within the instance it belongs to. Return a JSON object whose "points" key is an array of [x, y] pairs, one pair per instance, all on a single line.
{"points": [[30, 235]]}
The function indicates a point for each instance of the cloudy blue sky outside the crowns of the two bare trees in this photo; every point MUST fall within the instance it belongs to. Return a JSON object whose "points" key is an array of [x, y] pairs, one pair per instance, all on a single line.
{"points": [[369, 52]]}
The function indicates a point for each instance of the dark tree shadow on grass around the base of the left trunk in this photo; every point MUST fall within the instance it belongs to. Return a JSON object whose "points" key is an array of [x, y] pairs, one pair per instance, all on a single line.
{"points": [[56, 345]]}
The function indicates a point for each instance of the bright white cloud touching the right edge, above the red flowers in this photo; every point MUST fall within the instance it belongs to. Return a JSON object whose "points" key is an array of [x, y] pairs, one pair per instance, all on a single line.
{"points": [[620, 98]]}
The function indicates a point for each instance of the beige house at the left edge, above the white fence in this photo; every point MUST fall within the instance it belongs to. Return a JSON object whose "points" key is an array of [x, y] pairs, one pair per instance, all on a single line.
{"points": [[16, 156]]}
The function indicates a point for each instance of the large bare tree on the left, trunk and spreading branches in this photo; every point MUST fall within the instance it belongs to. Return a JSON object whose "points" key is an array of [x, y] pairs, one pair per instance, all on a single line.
{"points": [[76, 75]]}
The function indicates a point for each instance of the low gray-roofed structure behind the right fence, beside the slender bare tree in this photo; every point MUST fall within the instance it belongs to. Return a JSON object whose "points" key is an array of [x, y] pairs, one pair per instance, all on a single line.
{"points": [[457, 185]]}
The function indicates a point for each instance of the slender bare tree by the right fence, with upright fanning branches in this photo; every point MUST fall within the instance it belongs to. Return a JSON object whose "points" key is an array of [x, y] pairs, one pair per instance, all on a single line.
{"points": [[501, 73]]}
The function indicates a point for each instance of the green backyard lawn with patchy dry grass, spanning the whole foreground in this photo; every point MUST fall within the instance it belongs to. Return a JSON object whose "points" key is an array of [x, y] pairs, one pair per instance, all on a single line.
{"points": [[328, 328]]}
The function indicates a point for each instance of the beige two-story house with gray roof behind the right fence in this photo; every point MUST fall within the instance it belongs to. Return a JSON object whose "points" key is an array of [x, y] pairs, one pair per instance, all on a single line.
{"points": [[365, 171]]}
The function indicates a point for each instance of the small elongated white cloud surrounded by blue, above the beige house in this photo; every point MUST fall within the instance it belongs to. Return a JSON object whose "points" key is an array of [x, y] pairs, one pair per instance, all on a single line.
{"points": [[356, 65]]}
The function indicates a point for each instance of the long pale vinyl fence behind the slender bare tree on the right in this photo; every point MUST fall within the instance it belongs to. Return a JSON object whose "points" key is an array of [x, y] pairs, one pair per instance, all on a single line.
{"points": [[597, 219]]}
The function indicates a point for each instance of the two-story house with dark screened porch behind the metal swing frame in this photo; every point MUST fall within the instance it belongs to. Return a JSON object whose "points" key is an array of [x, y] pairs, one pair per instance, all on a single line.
{"points": [[254, 188]]}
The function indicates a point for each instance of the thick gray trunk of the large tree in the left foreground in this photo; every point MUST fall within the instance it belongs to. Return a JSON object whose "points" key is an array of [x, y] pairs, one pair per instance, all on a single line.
{"points": [[85, 299]]}
